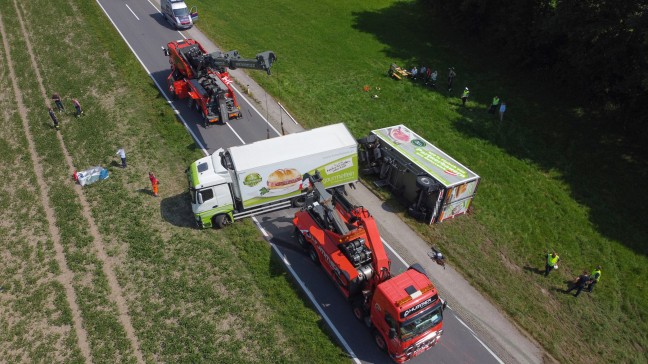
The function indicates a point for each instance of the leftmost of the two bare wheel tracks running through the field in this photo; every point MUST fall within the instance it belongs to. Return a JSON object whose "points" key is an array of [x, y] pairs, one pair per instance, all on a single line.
{"points": [[66, 276]]}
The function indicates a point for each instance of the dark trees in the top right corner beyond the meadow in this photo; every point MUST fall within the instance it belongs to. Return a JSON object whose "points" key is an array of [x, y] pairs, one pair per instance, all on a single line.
{"points": [[598, 47]]}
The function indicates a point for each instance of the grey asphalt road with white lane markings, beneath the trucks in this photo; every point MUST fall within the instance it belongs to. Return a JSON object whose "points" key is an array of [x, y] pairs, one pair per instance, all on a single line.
{"points": [[146, 31]]}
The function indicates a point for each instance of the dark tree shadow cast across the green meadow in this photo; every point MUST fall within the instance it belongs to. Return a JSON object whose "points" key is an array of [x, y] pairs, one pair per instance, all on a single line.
{"points": [[544, 123]]}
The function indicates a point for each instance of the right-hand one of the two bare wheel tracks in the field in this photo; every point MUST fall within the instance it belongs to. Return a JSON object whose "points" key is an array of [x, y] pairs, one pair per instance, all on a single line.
{"points": [[116, 293]]}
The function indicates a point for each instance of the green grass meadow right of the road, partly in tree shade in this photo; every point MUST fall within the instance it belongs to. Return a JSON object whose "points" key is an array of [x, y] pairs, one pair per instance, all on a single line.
{"points": [[552, 177]]}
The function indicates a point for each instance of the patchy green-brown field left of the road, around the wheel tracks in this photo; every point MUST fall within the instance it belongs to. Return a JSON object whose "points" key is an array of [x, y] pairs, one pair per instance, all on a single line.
{"points": [[211, 296]]}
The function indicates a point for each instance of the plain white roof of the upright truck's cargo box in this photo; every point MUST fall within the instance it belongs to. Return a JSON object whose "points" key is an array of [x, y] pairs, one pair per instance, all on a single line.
{"points": [[291, 146]]}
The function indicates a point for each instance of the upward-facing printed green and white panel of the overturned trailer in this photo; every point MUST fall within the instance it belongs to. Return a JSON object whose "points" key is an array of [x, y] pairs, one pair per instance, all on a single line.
{"points": [[425, 155]]}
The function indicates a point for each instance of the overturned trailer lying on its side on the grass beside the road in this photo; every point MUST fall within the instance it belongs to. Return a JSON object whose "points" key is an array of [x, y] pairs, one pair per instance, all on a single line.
{"points": [[434, 186]]}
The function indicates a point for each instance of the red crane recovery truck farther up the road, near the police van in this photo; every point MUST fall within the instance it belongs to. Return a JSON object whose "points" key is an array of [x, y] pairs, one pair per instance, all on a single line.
{"points": [[202, 78]]}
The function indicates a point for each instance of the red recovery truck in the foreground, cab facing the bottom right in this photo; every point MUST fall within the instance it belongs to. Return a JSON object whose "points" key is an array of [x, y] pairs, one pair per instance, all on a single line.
{"points": [[404, 311]]}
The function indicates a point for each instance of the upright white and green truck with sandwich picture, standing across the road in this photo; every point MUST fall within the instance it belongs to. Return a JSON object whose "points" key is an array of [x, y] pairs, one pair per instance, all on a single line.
{"points": [[270, 174]]}
